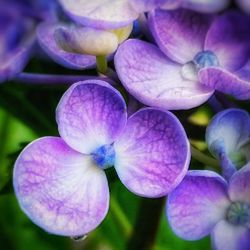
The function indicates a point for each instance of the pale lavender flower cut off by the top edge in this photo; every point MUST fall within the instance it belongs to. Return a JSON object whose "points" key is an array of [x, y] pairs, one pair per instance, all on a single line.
{"points": [[118, 13]]}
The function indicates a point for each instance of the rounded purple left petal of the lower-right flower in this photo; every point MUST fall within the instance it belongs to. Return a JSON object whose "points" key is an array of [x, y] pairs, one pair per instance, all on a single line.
{"points": [[197, 204]]}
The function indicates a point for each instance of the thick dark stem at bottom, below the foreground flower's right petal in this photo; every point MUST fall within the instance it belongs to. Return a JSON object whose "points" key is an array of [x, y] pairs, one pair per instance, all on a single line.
{"points": [[147, 224]]}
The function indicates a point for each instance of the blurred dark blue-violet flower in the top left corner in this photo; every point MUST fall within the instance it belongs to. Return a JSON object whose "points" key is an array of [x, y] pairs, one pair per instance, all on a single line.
{"points": [[17, 37]]}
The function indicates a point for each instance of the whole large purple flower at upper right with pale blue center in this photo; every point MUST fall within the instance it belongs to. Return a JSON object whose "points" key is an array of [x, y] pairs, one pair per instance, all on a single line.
{"points": [[197, 54]]}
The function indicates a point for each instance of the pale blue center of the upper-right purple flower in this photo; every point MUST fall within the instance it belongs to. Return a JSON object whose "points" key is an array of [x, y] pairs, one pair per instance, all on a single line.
{"points": [[205, 59]]}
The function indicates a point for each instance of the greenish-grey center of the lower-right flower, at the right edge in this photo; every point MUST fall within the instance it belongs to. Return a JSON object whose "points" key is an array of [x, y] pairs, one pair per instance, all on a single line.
{"points": [[239, 214]]}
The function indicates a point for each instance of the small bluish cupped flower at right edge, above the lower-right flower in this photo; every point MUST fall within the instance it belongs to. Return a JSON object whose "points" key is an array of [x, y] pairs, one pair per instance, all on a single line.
{"points": [[228, 138]]}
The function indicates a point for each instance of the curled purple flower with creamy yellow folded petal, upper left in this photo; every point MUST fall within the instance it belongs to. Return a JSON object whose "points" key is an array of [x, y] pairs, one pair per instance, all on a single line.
{"points": [[76, 47]]}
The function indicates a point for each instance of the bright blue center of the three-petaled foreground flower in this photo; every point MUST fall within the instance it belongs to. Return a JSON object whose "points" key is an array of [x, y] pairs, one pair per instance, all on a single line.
{"points": [[104, 156]]}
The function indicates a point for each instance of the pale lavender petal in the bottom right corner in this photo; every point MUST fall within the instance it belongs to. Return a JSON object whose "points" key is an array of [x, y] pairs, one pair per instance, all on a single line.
{"points": [[230, 237]]}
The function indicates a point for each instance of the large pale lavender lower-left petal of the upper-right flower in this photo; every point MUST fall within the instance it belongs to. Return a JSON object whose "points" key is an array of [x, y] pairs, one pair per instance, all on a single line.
{"points": [[153, 79]]}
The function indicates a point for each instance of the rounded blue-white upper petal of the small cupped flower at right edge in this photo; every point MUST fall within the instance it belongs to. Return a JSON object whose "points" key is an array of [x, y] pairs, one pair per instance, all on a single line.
{"points": [[230, 129]]}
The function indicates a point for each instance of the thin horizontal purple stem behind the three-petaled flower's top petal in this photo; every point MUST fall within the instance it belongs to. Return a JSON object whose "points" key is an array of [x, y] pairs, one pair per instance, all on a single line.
{"points": [[33, 78]]}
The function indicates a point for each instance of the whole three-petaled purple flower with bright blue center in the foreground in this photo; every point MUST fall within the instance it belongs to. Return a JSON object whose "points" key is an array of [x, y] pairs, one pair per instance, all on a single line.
{"points": [[60, 182]]}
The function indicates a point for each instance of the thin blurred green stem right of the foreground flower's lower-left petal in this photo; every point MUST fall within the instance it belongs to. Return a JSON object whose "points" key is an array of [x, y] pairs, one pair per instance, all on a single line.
{"points": [[120, 217]]}
